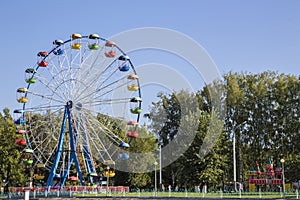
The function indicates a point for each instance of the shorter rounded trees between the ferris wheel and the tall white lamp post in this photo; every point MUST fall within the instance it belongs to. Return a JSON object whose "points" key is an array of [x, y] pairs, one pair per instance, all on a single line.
{"points": [[190, 115]]}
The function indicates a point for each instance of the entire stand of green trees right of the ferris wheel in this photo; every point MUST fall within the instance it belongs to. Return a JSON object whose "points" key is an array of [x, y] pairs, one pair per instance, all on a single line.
{"points": [[261, 109]]}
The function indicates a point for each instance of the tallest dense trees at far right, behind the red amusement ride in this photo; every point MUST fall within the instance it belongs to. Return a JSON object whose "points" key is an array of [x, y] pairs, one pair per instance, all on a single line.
{"points": [[263, 110]]}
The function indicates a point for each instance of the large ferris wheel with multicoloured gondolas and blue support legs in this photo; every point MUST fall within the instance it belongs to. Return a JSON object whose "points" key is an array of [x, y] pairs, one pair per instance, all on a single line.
{"points": [[80, 107]]}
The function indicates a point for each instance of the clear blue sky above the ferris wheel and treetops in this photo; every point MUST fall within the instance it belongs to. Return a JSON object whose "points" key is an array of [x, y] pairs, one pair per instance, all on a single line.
{"points": [[248, 35]]}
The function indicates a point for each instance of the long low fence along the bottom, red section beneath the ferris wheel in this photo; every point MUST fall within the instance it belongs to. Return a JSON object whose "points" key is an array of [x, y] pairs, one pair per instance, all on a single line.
{"points": [[121, 191]]}
